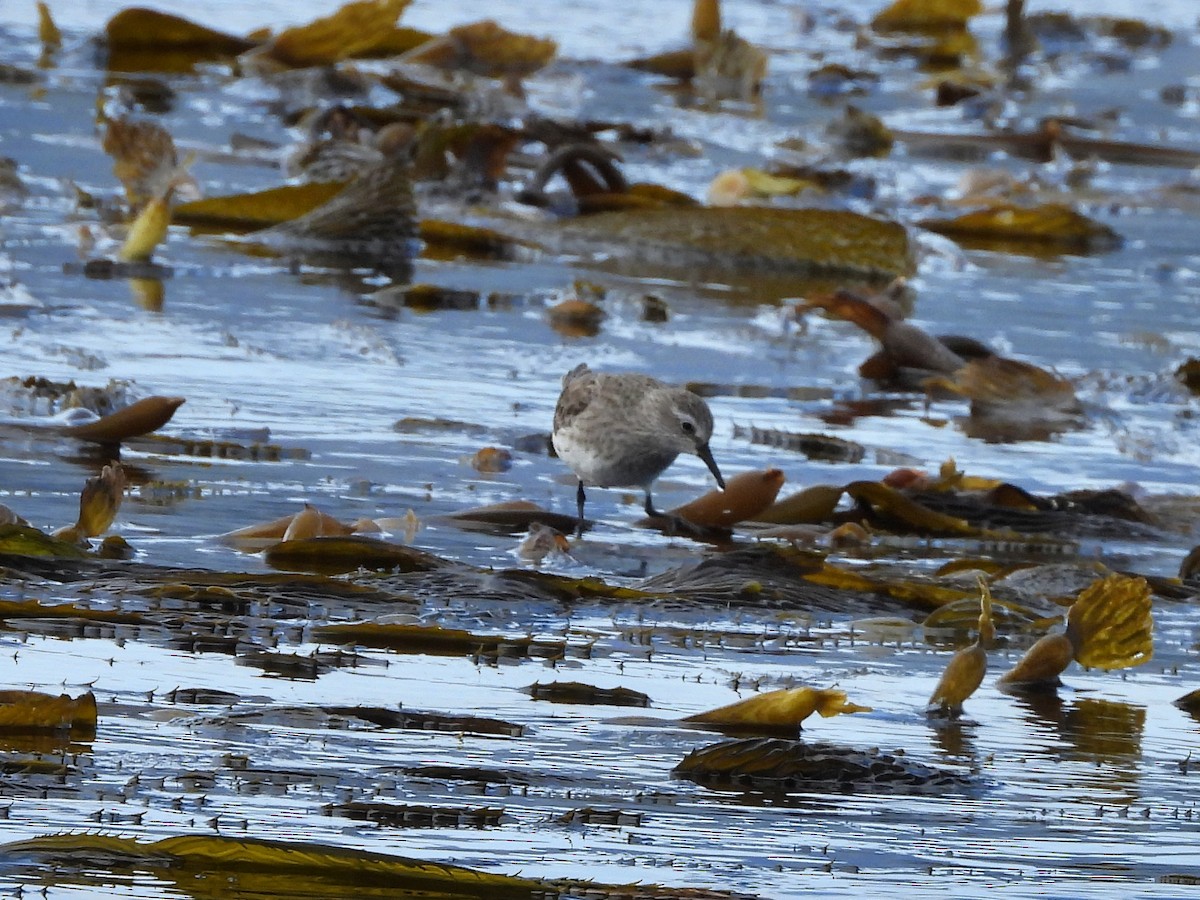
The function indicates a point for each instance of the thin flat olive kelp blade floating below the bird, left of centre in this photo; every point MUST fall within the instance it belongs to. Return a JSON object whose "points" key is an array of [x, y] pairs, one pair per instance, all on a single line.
{"points": [[435, 640]]}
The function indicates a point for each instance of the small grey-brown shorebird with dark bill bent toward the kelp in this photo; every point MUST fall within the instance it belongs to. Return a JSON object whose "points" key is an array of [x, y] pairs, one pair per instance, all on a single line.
{"points": [[625, 430]]}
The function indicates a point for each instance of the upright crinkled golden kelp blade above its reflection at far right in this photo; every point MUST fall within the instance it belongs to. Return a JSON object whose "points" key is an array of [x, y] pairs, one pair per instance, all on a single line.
{"points": [[1111, 625]]}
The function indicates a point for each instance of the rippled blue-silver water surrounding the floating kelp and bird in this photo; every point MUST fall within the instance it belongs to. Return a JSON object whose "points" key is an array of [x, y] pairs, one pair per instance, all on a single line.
{"points": [[1089, 795]]}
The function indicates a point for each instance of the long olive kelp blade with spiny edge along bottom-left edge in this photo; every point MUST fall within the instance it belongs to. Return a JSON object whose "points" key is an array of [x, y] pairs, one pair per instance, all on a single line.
{"points": [[267, 868]]}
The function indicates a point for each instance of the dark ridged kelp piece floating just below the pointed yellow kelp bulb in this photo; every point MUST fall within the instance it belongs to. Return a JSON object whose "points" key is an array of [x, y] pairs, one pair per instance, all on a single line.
{"points": [[781, 766]]}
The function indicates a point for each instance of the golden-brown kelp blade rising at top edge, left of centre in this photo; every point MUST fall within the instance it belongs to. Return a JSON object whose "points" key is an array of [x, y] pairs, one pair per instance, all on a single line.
{"points": [[357, 29]]}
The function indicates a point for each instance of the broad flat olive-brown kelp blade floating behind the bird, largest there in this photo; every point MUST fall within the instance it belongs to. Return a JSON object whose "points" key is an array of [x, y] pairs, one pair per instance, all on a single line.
{"points": [[801, 242]]}
